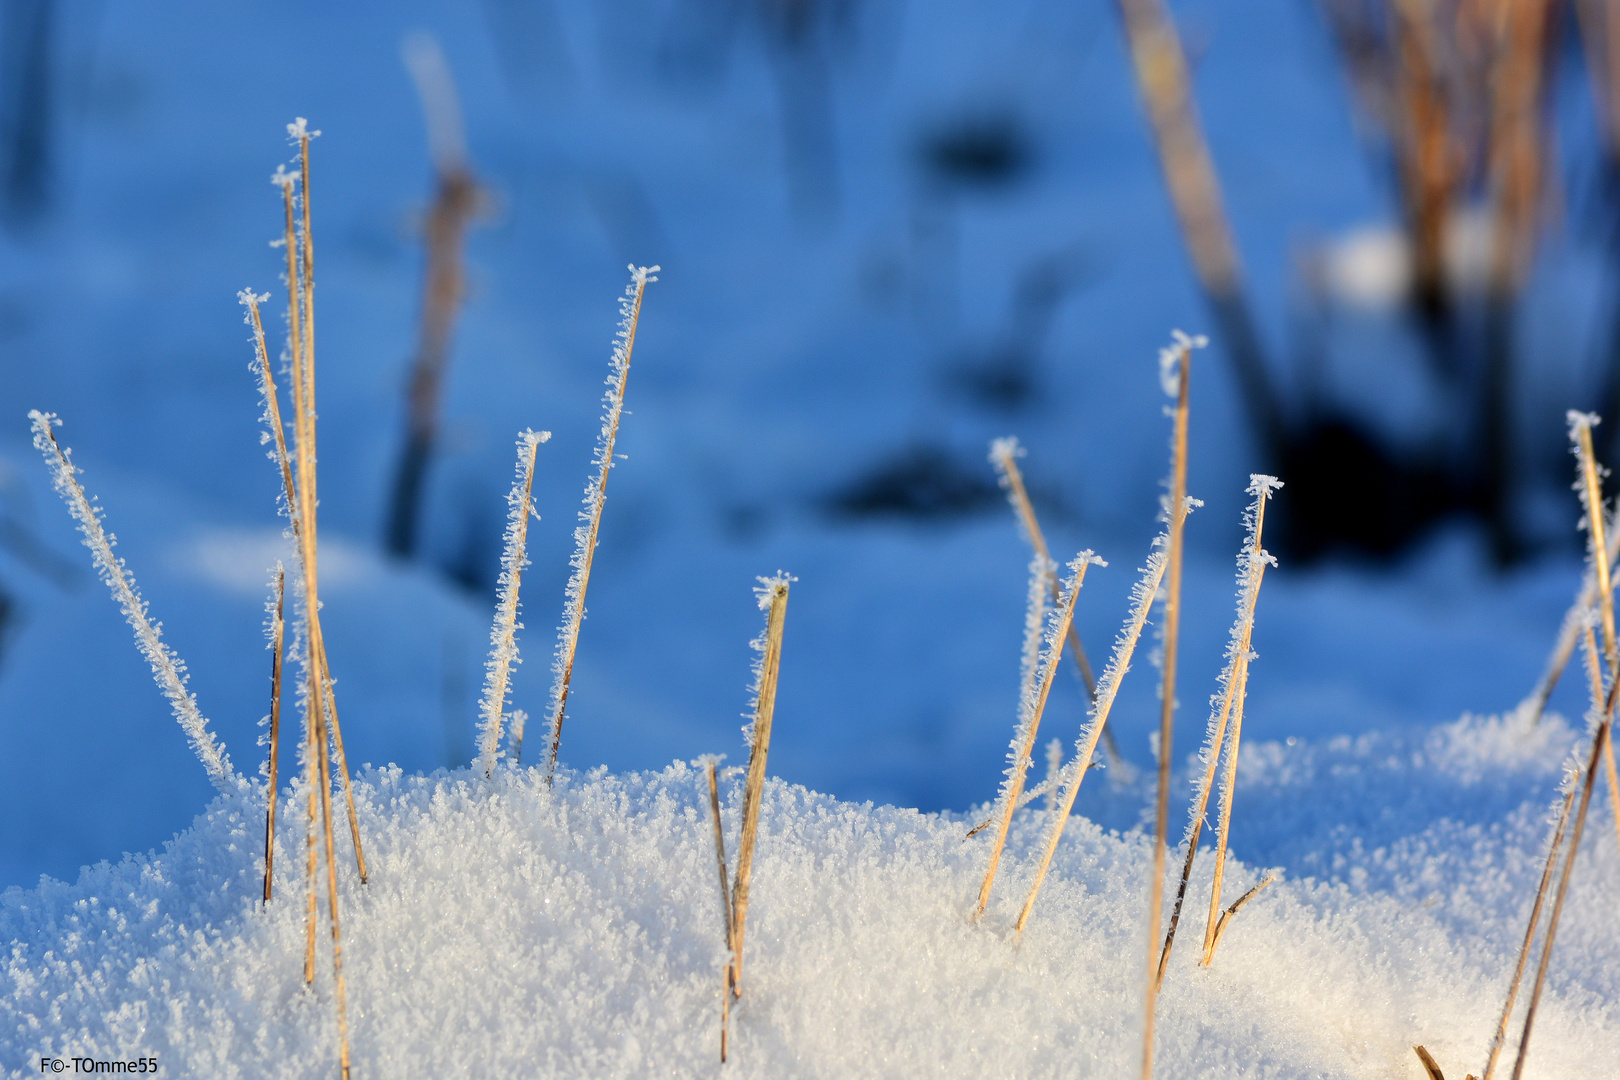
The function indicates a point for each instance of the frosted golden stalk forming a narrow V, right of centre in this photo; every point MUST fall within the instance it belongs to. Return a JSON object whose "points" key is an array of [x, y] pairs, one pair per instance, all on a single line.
{"points": [[1033, 700]]}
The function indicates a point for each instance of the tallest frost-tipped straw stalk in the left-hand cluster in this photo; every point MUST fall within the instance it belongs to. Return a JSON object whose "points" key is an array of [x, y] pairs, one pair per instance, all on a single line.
{"points": [[301, 302]]}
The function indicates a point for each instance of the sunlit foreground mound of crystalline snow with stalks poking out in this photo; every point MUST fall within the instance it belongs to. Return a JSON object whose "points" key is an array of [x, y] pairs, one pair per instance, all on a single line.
{"points": [[513, 930]]}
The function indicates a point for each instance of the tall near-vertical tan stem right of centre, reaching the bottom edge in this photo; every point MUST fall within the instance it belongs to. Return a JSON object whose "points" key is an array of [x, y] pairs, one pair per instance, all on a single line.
{"points": [[1177, 511]]}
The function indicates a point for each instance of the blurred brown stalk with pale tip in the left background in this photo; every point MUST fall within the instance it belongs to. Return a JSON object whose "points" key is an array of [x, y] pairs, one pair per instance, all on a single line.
{"points": [[458, 202]]}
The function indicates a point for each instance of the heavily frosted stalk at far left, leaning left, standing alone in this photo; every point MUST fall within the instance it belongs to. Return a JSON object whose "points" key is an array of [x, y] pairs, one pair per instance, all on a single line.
{"points": [[169, 671]]}
